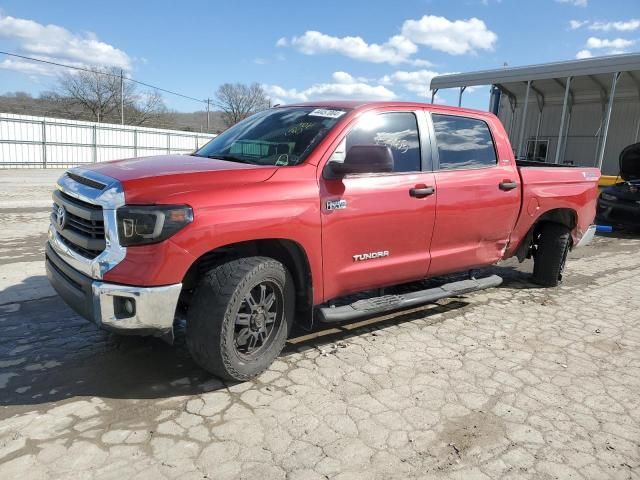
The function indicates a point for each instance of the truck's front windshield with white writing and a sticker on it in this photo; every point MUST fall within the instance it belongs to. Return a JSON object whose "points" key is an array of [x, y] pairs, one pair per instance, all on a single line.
{"points": [[279, 136]]}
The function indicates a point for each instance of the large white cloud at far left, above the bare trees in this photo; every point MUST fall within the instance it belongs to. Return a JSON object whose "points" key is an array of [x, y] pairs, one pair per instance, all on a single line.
{"points": [[55, 43]]}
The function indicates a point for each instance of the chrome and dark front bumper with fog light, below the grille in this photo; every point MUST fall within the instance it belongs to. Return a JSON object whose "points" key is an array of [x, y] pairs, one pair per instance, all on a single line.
{"points": [[120, 308]]}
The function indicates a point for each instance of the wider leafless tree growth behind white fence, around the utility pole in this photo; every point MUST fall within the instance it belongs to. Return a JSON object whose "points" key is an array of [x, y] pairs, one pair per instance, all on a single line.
{"points": [[98, 92]]}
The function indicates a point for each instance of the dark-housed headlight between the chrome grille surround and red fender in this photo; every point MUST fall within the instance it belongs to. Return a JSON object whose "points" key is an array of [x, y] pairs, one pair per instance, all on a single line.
{"points": [[140, 225]]}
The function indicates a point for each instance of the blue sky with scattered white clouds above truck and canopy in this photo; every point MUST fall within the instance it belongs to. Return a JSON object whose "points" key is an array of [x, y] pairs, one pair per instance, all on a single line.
{"points": [[307, 50]]}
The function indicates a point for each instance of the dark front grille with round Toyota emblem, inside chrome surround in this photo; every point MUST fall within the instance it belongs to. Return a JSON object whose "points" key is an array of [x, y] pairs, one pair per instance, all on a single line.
{"points": [[79, 224]]}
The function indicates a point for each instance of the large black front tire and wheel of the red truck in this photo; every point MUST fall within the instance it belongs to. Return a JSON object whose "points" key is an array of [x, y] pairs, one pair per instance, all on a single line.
{"points": [[222, 323]]}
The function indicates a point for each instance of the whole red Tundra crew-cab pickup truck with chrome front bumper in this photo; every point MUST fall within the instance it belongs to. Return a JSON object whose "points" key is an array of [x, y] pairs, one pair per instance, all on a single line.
{"points": [[277, 218]]}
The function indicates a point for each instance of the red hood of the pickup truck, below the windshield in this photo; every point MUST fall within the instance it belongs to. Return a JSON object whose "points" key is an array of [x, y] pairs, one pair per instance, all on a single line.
{"points": [[160, 178]]}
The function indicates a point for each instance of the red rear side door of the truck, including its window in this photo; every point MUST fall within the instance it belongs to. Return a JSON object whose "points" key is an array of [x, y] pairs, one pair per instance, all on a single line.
{"points": [[478, 195]]}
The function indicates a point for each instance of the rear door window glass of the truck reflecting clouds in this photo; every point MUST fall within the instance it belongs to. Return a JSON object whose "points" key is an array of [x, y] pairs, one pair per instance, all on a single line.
{"points": [[463, 142]]}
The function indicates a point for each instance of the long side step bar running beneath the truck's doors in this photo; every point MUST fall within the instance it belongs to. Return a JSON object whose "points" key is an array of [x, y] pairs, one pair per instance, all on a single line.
{"points": [[389, 303]]}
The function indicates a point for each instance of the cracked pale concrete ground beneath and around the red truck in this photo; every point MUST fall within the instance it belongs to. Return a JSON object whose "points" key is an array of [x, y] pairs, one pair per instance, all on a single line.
{"points": [[514, 382]]}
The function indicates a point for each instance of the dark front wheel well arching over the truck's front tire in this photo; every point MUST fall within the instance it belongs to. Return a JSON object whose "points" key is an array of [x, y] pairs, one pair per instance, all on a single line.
{"points": [[287, 252]]}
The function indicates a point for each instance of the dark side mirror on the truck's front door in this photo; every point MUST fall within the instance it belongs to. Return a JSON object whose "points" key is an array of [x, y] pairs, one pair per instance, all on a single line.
{"points": [[362, 159]]}
